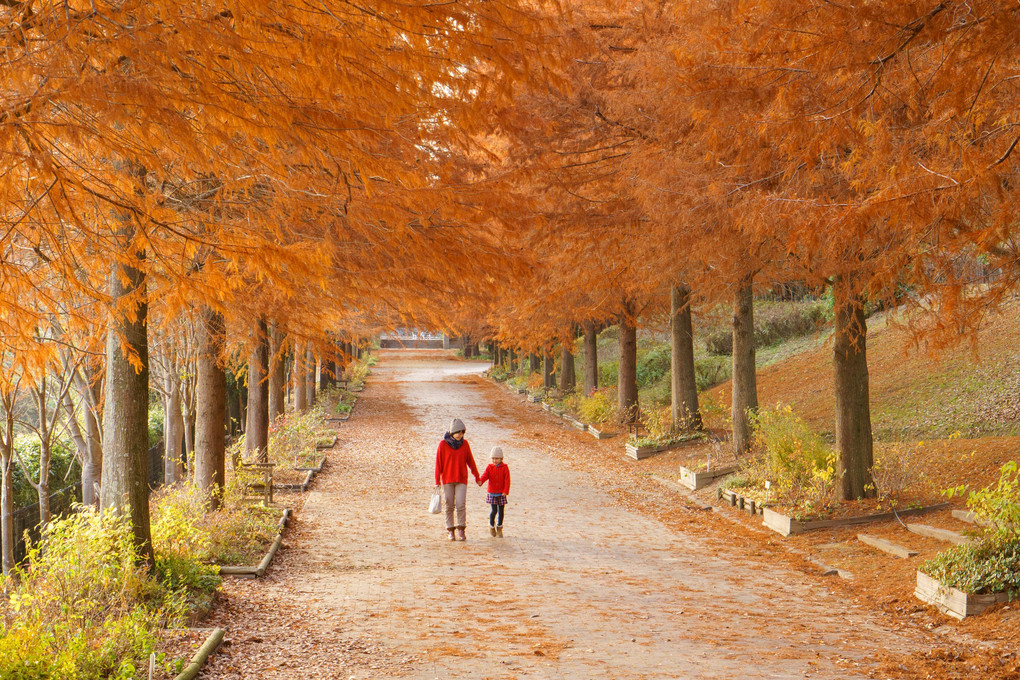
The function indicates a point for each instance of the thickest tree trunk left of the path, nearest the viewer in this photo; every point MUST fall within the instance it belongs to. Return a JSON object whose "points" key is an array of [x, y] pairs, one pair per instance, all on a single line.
{"points": [[126, 415]]}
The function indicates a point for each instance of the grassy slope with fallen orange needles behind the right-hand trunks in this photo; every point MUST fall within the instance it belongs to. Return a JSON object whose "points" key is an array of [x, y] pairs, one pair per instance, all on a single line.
{"points": [[974, 390]]}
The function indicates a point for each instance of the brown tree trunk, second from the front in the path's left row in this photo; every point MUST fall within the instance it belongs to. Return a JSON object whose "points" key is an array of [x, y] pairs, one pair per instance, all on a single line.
{"points": [[211, 438]]}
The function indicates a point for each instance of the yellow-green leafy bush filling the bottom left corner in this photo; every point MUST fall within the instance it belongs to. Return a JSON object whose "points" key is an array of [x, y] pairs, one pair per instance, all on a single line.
{"points": [[82, 609]]}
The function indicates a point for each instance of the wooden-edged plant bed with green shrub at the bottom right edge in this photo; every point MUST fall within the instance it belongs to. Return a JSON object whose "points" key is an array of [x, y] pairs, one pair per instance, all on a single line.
{"points": [[970, 579]]}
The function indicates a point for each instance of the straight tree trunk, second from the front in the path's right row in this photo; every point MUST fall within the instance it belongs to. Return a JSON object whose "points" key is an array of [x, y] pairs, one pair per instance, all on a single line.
{"points": [[745, 380]]}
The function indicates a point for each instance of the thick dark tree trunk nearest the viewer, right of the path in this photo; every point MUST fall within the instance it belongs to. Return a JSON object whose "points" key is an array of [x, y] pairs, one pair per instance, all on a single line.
{"points": [[853, 409]]}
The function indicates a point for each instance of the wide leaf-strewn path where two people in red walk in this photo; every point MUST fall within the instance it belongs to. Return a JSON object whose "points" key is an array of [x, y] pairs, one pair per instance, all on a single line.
{"points": [[582, 587]]}
